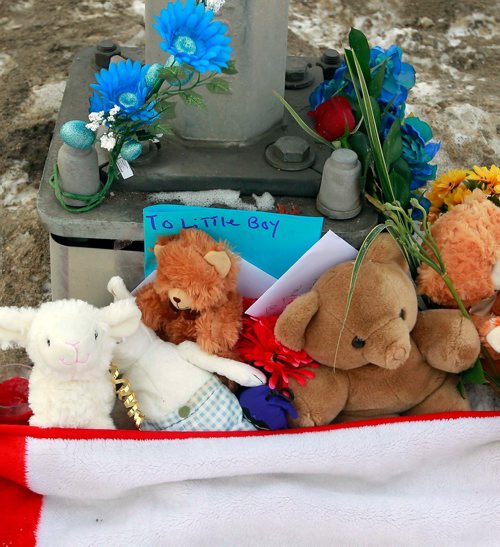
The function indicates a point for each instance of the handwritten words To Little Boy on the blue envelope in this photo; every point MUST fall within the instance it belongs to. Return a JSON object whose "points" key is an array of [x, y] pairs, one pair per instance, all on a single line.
{"points": [[158, 222]]}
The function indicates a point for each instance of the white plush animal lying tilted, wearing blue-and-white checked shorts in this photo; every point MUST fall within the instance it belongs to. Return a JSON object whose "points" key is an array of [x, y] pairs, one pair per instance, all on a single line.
{"points": [[174, 384]]}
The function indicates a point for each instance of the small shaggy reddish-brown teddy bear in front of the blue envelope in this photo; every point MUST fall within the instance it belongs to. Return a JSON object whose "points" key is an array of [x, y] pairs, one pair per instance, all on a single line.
{"points": [[194, 295]]}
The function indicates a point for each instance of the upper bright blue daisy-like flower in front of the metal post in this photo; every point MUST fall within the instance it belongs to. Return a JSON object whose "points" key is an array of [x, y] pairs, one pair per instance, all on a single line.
{"points": [[190, 35]]}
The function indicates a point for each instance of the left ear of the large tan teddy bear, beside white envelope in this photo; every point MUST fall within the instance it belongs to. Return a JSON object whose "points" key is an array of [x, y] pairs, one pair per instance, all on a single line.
{"points": [[292, 323]]}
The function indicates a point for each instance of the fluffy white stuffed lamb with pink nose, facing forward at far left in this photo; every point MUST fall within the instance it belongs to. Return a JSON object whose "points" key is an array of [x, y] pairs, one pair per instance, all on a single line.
{"points": [[70, 344]]}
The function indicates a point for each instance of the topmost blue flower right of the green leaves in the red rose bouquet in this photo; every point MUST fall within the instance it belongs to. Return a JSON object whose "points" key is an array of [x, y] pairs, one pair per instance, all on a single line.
{"points": [[399, 77]]}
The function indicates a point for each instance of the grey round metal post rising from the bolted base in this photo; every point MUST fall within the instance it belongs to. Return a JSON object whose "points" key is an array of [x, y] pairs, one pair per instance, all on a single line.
{"points": [[258, 29]]}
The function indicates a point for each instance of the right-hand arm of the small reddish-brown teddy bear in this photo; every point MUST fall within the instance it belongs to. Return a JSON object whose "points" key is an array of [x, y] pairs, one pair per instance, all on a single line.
{"points": [[218, 329]]}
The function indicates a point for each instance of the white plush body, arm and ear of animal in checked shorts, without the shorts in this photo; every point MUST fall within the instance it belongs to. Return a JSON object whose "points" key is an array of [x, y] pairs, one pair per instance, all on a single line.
{"points": [[164, 376]]}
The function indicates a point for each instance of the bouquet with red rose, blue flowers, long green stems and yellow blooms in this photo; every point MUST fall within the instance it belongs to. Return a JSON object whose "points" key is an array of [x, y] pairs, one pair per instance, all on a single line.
{"points": [[363, 108]]}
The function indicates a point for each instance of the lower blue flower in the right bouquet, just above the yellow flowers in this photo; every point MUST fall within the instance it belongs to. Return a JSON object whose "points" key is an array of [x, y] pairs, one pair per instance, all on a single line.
{"points": [[418, 151]]}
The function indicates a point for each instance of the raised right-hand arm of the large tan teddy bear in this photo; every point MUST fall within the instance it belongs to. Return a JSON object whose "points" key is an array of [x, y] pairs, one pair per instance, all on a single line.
{"points": [[447, 340]]}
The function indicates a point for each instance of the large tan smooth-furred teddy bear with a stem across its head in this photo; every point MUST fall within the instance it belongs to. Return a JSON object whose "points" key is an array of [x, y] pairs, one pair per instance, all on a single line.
{"points": [[391, 359]]}
